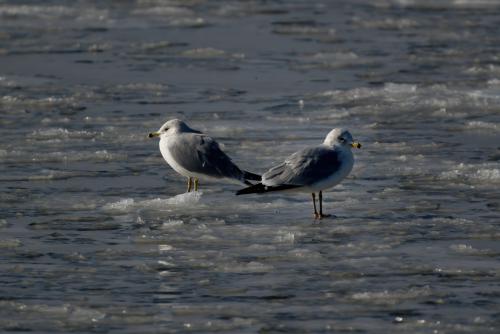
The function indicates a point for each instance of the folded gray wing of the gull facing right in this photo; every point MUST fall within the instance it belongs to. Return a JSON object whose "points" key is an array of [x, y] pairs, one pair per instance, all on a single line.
{"points": [[304, 167]]}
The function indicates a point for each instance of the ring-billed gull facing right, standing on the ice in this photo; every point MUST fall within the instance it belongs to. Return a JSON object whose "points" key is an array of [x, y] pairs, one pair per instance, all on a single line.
{"points": [[312, 169]]}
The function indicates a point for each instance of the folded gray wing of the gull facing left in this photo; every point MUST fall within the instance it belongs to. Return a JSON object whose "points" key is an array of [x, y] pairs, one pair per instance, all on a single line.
{"points": [[201, 154]]}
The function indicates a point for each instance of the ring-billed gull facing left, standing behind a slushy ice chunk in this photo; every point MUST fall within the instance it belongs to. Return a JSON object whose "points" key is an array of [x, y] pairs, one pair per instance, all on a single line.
{"points": [[195, 155]]}
